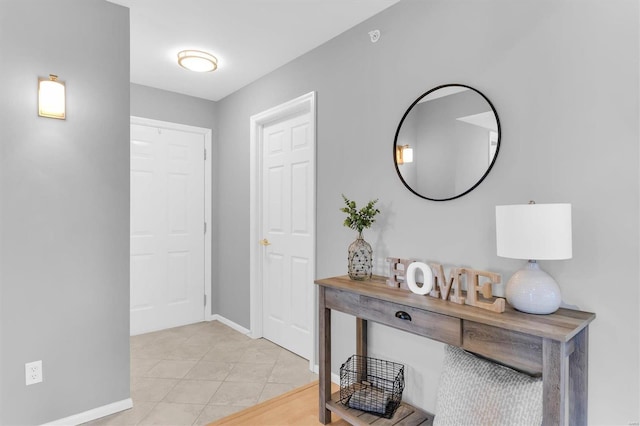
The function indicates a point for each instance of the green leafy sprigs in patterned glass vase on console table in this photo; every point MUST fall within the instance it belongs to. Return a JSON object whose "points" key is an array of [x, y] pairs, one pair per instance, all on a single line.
{"points": [[360, 254]]}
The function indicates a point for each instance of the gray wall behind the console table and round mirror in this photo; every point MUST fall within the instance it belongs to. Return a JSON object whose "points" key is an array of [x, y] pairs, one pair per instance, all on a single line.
{"points": [[563, 76]]}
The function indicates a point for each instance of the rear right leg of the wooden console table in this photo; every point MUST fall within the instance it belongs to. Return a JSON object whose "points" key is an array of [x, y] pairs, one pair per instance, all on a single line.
{"points": [[578, 379]]}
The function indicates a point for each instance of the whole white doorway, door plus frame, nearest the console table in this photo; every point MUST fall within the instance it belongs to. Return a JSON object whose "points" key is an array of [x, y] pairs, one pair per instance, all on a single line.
{"points": [[282, 251]]}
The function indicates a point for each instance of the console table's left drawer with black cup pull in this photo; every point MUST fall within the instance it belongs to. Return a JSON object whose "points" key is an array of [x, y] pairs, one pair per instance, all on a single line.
{"points": [[439, 327]]}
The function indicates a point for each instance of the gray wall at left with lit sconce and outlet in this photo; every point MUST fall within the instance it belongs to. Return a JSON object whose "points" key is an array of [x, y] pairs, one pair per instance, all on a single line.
{"points": [[64, 218]]}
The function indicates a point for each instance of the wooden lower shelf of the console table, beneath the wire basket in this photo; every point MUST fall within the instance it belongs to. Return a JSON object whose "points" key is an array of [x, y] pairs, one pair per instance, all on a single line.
{"points": [[405, 414]]}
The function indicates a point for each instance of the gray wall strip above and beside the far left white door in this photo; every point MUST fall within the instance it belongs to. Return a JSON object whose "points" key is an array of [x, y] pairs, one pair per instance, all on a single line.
{"points": [[158, 104]]}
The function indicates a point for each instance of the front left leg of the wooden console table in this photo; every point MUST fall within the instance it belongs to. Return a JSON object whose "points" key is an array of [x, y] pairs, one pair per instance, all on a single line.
{"points": [[324, 353]]}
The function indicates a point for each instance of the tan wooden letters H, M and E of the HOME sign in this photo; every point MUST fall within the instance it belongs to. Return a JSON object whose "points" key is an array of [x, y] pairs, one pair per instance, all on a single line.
{"points": [[450, 287]]}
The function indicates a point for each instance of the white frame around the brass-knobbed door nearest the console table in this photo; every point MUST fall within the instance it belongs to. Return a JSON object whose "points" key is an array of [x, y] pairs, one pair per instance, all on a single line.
{"points": [[303, 104]]}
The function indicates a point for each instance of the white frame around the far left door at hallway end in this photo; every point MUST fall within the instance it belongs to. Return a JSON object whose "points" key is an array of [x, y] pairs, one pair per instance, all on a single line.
{"points": [[208, 207]]}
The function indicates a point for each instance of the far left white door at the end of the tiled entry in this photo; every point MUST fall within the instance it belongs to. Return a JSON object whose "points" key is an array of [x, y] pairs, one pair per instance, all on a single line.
{"points": [[167, 228]]}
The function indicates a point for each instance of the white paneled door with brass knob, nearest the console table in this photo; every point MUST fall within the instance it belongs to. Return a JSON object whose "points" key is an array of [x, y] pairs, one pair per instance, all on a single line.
{"points": [[287, 223]]}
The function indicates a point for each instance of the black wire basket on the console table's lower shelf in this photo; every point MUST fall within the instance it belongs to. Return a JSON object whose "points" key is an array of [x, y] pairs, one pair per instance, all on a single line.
{"points": [[371, 385]]}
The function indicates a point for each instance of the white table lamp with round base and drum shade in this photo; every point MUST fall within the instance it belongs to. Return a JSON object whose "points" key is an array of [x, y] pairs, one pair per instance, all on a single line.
{"points": [[534, 232]]}
